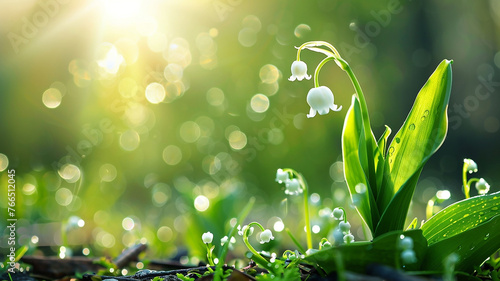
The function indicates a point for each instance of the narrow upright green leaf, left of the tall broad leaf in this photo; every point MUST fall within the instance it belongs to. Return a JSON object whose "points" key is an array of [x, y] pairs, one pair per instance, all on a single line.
{"points": [[355, 164]]}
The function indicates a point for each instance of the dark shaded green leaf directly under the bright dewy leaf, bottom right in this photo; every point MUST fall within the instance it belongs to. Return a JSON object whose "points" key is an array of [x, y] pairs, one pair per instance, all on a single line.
{"points": [[473, 246]]}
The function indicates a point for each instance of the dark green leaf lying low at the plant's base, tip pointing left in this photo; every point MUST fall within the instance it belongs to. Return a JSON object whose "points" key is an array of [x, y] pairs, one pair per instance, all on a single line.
{"points": [[382, 250]]}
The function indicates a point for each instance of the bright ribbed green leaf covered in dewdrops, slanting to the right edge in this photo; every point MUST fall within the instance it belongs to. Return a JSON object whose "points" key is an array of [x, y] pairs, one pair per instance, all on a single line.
{"points": [[461, 216]]}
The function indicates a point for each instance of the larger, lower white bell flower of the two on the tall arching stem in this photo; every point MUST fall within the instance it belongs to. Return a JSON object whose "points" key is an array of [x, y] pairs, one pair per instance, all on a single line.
{"points": [[320, 100]]}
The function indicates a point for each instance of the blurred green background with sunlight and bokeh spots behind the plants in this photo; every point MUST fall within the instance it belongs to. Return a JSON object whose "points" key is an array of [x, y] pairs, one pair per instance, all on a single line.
{"points": [[155, 121]]}
